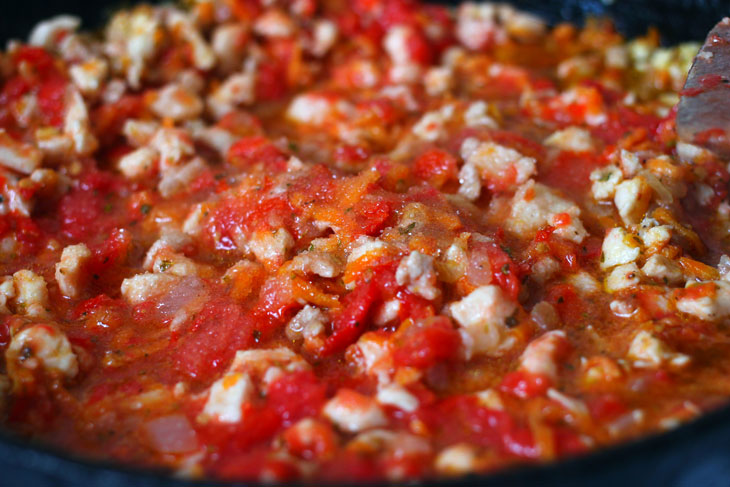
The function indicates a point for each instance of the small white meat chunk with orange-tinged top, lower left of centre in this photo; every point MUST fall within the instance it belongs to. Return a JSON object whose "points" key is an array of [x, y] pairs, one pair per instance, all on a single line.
{"points": [[227, 396]]}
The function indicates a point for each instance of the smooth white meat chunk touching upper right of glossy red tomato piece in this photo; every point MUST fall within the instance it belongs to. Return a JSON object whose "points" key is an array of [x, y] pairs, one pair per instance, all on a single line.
{"points": [[482, 315]]}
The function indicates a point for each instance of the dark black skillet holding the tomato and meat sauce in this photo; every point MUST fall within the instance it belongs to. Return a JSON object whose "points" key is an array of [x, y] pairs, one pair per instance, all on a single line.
{"points": [[696, 454]]}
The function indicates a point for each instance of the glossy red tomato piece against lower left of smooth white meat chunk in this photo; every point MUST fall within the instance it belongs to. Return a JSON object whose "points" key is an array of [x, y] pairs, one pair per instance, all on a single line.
{"points": [[436, 342]]}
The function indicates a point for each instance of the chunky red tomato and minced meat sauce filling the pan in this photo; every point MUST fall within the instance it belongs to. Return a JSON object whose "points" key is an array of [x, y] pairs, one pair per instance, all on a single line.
{"points": [[357, 240]]}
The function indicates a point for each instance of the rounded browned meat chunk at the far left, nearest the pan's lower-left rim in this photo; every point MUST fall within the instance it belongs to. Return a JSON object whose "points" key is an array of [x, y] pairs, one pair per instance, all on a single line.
{"points": [[43, 346]]}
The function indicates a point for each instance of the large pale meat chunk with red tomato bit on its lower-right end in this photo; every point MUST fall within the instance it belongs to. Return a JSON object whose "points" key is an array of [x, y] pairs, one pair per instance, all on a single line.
{"points": [[535, 206]]}
